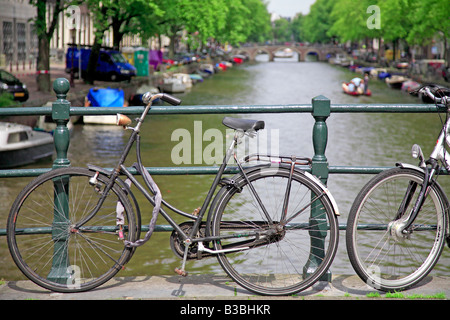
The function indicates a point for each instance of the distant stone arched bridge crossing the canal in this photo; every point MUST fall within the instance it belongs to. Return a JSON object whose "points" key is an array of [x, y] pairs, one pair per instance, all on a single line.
{"points": [[321, 51]]}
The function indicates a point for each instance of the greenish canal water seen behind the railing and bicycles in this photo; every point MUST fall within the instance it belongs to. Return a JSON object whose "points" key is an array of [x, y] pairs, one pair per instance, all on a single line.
{"points": [[353, 140]]}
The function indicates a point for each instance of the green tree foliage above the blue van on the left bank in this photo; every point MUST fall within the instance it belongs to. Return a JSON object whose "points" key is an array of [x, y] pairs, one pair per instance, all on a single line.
{"points": [[226, 21]]}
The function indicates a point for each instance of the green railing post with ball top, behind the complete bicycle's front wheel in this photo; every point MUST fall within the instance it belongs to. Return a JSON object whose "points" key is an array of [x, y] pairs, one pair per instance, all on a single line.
{"points": [[60, 235]]}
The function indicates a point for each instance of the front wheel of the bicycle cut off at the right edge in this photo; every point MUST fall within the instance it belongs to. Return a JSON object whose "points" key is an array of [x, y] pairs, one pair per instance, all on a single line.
{"points": [[382, 258]]}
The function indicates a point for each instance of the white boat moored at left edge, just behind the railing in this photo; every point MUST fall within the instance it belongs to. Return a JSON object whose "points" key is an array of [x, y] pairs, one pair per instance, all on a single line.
{"points": [[21, 145]]}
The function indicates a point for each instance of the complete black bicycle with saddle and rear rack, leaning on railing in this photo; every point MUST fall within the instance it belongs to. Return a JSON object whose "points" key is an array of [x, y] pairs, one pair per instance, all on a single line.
{"points": [[272, 226]]}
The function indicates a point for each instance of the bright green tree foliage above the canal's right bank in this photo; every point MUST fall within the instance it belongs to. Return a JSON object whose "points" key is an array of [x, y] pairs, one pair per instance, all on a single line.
{"points": [[415, 21]]}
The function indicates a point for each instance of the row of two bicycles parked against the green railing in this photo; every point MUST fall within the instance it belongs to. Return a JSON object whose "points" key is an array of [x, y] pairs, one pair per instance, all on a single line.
{"points": [[272, 226]]}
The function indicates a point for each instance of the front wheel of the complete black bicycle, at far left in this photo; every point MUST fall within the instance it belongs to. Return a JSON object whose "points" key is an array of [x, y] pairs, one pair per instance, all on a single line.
{"points": [[44, 243]]}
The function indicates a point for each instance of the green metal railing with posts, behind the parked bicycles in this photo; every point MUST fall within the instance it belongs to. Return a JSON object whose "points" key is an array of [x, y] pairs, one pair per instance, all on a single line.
{"points": [[320, 109]]}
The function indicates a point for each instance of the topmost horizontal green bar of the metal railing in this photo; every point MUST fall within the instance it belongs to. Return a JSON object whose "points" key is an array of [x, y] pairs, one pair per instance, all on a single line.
{"points": [[206, 109]]}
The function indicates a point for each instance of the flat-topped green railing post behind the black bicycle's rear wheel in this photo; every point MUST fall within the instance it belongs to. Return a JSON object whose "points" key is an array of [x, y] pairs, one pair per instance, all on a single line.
{"points": [[321, 111]]}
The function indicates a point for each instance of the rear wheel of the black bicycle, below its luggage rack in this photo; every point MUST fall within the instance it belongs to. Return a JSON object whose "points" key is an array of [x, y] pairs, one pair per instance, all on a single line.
{"points": [[281, 264]]}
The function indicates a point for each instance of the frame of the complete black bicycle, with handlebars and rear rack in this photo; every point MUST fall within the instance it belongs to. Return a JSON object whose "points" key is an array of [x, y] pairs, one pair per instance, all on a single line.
{"points": [[152, 194]]}
